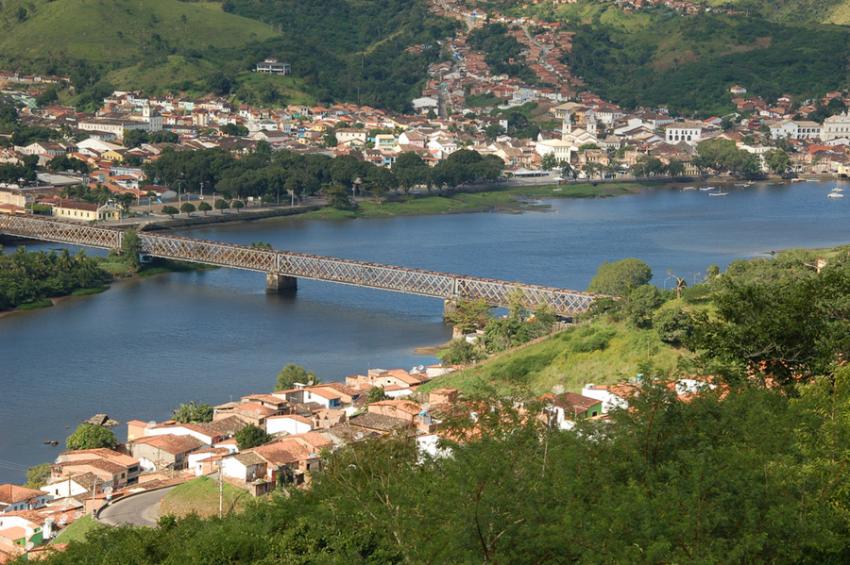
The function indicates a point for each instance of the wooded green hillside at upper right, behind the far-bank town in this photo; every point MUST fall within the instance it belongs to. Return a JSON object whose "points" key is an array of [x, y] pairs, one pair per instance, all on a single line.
{"points": [[657, 58]]}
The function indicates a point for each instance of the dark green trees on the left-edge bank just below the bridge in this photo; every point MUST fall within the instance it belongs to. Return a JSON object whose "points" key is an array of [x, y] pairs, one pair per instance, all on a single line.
{"points": [[31, 278]]}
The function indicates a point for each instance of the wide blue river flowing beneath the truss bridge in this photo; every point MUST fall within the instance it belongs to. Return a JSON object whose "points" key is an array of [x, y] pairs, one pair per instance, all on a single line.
{"points": [[143, 347]]}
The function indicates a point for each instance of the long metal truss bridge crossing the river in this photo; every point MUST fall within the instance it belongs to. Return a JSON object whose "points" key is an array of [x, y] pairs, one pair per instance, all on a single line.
{"points": [[283, 268]]}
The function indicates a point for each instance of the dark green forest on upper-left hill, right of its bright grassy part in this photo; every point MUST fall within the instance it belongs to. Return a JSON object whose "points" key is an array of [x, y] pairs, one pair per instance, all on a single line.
{"points": [[374, 53]]}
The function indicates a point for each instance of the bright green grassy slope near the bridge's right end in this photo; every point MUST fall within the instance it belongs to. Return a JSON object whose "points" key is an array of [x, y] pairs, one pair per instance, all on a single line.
{"points": [[569, 359]]}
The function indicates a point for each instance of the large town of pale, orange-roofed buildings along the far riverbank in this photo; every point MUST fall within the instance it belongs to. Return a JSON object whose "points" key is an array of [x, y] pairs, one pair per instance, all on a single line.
{"points": [[540, 134]]}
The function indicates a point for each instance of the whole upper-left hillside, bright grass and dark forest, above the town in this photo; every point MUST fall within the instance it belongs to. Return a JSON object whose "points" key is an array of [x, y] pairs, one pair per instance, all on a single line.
{"points": [[374, 52]]}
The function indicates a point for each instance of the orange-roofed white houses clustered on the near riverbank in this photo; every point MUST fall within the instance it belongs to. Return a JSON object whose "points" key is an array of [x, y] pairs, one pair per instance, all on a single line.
{"points": [[304, 423]]}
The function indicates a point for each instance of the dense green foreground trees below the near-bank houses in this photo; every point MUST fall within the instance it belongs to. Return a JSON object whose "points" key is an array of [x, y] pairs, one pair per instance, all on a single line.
{"points": [[754, 477]]}
